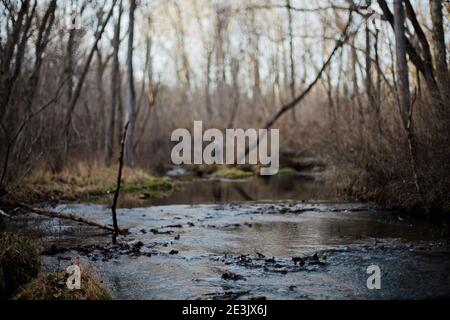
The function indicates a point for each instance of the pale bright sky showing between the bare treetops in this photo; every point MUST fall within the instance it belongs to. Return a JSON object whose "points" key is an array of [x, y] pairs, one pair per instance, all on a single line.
{"points": [[271, 24]]}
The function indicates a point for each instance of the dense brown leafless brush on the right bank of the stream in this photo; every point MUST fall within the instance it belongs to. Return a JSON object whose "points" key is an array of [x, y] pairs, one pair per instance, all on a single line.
{"points": [[374, 163]]}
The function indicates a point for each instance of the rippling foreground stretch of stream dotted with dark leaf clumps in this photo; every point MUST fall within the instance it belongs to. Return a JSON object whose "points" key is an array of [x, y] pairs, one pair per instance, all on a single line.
{"points": [[280, 251]]}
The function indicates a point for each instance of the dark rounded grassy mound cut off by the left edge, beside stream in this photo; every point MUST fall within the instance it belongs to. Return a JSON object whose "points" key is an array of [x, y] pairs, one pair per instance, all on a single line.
{"points": [[19, 262]]}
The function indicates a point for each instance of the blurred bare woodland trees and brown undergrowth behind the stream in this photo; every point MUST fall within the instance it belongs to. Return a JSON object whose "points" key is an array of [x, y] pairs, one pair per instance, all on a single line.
{"points": [[363, 84]]}
